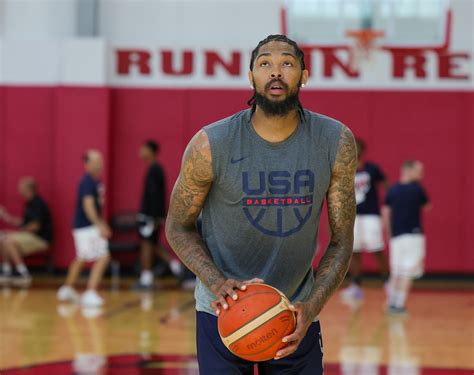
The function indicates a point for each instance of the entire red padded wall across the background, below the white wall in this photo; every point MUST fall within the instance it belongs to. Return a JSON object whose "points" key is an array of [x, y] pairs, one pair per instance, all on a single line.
{"points": [[44, 131]]}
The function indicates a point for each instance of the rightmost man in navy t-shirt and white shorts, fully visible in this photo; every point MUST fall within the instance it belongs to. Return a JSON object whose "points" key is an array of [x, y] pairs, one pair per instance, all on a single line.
{"points": [[402, 217]]}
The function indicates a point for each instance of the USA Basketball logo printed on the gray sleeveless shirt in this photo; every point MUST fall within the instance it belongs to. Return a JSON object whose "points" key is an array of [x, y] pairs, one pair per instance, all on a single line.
{"points": [[278, 203]]}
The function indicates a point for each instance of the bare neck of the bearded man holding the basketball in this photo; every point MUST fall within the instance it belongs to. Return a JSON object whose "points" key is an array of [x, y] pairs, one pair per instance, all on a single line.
{"points": [[274, 129]]}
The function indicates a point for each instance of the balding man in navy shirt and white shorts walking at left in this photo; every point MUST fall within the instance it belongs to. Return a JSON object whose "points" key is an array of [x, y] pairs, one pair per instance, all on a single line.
{"points": [[90, 234]]}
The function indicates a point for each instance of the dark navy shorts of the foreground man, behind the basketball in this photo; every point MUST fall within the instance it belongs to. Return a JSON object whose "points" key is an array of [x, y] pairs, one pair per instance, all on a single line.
{"points": [[215, 359]]}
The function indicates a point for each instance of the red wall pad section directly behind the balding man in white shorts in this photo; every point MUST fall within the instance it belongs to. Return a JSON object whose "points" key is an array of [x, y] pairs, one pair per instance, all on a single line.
{"points": [[82, 122]]}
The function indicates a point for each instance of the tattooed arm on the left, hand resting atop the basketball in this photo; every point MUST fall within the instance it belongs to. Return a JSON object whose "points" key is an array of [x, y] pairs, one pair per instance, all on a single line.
{"points": [[187, 199]]}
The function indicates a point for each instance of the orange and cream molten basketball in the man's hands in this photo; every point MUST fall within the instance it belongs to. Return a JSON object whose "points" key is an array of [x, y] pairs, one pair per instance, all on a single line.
{"points": [[254, 325]]}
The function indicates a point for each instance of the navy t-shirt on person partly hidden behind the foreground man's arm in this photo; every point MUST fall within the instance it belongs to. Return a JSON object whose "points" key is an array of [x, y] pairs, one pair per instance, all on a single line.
{"points": [[366, 180]]}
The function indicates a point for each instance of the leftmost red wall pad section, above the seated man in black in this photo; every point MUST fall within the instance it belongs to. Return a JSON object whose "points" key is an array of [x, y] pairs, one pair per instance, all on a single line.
{"points": [[27, 141]]}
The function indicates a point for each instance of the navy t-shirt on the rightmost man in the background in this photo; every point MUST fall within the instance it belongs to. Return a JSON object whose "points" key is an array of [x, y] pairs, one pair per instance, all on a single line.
{"points": [[406, 202]]}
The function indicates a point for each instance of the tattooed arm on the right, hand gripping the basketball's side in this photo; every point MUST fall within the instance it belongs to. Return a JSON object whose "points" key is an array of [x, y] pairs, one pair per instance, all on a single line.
{"points": [[335, 262]]}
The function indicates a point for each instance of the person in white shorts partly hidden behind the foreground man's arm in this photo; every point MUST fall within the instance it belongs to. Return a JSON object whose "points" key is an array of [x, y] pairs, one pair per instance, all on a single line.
{"points": [[368, 232]]}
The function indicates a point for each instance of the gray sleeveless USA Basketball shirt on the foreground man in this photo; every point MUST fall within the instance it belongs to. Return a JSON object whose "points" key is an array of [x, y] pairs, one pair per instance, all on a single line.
{"points": [[261, 216]]}
